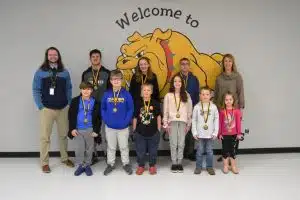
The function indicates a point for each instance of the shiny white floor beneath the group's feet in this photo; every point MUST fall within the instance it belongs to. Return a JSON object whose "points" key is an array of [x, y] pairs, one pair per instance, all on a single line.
{"points": [[269, 176]]}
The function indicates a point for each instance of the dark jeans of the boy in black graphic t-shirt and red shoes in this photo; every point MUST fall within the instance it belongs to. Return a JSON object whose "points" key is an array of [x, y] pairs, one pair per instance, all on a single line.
{"points": [[142, 144]]}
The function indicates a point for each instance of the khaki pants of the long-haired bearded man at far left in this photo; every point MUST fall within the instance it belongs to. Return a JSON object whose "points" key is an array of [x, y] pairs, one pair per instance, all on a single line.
{"points": [[47, 117]]}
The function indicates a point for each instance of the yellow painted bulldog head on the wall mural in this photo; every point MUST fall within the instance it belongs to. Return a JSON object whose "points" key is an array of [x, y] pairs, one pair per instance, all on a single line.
{"points": [[147, 46]]}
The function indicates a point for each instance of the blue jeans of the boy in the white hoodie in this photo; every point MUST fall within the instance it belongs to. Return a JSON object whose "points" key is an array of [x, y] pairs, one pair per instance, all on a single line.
{"points": [[205, 145]]}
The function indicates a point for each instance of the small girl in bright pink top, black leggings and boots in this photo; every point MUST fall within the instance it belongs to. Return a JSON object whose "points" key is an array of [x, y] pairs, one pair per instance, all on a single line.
{"points": [[229, 131]]}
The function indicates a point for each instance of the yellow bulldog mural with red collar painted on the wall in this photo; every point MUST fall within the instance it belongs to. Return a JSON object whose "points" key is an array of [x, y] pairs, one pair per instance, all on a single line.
{"points": [[165, 49]]}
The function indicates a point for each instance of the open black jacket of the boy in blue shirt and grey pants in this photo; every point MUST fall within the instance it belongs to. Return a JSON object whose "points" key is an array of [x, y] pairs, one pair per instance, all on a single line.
{"points": [[72, 116]]}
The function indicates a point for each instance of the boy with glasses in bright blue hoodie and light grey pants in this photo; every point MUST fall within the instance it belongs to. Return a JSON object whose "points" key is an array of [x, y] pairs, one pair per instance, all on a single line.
{"points": [[117, 112]]}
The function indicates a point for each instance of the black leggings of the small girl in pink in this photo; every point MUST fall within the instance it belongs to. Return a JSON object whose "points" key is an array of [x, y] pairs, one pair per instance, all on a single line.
{"points": [[229, 146]]}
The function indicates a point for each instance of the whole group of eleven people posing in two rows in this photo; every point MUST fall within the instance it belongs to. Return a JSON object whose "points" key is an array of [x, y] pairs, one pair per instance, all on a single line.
{"points": [[105, 106]]}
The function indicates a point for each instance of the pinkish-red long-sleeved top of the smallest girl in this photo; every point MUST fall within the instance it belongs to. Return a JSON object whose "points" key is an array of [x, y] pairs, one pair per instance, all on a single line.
{"points": [[230, 122]]}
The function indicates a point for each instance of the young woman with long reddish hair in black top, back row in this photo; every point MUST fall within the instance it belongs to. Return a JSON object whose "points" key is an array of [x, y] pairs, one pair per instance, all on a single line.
{"points": [[143, 74]]}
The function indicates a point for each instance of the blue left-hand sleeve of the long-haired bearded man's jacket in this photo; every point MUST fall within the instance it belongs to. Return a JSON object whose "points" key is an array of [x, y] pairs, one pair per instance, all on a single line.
{"points": [[37, 90]]}
